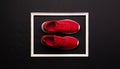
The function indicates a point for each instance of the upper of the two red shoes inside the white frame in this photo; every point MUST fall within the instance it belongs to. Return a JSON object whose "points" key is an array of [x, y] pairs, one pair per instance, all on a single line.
{"points": [[66, 26]]}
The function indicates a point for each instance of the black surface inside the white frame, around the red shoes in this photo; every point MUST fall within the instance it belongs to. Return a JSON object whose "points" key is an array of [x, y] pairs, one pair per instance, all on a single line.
{"points": [[80, 35]]}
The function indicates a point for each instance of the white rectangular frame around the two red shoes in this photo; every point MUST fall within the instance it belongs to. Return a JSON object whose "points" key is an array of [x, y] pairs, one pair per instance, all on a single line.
{"points": [[86, 14]]}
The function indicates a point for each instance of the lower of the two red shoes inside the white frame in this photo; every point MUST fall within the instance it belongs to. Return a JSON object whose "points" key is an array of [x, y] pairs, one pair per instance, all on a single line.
{"points": [[63, 43]]}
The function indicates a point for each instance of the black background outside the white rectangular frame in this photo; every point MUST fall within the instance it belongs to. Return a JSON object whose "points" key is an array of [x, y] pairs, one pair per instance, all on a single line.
{"points": [[104, 33]]}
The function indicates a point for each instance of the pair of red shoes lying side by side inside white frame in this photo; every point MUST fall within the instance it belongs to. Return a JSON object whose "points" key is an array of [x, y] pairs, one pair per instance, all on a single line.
{"points": [[65, 26]]}
